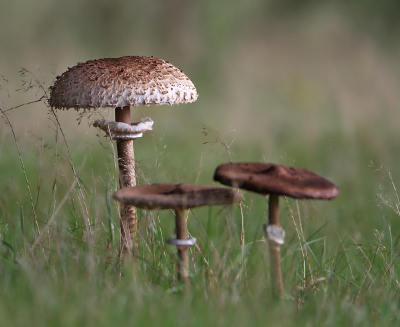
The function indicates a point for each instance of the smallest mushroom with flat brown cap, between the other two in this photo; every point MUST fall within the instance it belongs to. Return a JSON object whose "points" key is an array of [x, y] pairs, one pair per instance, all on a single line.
{"points": [[178, 197]]}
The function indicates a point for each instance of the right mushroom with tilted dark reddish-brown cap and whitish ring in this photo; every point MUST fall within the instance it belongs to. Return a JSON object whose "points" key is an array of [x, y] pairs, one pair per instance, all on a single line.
{"points": [[275, 180]]}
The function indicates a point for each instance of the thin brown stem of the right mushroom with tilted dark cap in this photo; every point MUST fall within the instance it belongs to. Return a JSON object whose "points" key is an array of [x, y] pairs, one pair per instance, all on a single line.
{"points": [[274, 247]]}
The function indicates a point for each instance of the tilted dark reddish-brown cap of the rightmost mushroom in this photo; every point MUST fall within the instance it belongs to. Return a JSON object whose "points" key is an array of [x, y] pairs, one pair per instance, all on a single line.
{"points": [[276, 179]]}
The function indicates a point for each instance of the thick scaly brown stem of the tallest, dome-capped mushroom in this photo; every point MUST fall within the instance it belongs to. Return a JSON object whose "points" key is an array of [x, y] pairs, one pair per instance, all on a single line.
{"points": [[127, 178]]}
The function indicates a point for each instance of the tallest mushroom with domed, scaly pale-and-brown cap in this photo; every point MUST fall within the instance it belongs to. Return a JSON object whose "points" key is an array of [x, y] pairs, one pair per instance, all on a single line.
{"points": [[121, 83]]}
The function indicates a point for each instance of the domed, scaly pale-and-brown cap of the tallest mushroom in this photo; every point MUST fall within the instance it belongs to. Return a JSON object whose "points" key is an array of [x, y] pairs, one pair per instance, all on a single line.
{"points": [[119, 82]]}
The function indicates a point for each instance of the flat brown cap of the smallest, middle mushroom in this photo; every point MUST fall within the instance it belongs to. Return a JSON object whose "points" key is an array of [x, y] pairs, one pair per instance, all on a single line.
{"points": [[173, 196]]}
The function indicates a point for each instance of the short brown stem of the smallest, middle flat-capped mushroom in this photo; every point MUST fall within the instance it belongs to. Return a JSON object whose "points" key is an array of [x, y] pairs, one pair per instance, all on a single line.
{"points": [[183, 251]]}
